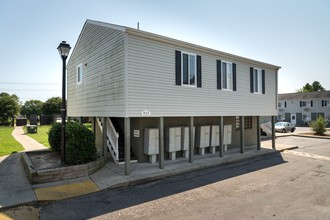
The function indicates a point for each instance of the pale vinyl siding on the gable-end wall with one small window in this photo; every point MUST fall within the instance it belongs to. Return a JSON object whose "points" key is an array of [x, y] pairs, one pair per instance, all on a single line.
{"points": [[100, 50]]}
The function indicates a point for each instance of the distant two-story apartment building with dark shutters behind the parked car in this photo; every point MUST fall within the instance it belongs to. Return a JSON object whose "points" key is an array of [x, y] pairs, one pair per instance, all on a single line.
{"points": [[301, 108]]}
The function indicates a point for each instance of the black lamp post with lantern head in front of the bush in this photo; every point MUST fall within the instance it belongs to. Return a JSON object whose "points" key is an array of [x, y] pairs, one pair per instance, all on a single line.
{"points": [[64, 50]]}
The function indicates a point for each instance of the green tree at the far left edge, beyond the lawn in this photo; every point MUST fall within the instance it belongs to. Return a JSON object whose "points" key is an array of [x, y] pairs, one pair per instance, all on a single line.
{"points": [[9, 107]]}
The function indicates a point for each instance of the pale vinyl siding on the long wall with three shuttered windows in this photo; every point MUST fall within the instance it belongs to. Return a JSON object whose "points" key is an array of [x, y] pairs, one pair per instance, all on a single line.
{"points": [[150, 63]]}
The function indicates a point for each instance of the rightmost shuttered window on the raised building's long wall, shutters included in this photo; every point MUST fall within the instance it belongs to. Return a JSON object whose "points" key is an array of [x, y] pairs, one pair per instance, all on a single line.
{"points": [[257, 80]]}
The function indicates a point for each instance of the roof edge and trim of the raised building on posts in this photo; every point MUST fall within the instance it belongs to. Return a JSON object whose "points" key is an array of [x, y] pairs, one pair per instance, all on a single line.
{"points": [[168, 40]]}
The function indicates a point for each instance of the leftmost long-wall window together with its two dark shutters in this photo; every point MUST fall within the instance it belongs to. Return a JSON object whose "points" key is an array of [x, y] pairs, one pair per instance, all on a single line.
{"points": [[188, 69]]}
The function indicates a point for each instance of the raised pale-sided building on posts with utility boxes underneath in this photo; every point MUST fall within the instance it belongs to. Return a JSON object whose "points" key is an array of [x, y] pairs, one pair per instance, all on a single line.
{"points": [[162, 98]]}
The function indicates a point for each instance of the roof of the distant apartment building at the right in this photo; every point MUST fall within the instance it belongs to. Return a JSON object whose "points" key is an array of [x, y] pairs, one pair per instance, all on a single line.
{"points": [[304, 95]]}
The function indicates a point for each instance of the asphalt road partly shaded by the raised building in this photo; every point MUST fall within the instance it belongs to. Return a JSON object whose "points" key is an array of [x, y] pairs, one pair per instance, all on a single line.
{"points": [[290, 185]]}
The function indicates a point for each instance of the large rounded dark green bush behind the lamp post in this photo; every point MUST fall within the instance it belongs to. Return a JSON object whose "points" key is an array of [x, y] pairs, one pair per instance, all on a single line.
{"points": [[80, 143]]}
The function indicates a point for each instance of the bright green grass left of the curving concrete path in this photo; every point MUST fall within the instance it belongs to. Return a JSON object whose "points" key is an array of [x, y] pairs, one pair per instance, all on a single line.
{"points": [[8, 144]]}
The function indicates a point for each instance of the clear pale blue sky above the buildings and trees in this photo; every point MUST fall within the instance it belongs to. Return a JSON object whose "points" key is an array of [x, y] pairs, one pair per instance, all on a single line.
{"points": [[293, 34]]}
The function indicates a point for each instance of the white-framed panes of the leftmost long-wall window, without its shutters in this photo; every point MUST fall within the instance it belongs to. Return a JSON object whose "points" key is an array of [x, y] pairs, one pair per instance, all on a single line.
{"points": [[188, 69]]}
